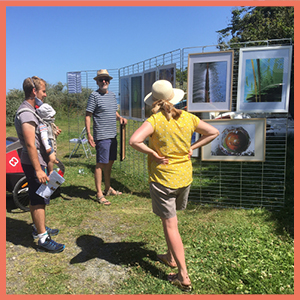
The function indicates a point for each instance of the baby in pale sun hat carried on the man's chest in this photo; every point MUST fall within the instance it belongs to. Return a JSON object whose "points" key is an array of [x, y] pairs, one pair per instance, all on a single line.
{"points": [[48, 131]]}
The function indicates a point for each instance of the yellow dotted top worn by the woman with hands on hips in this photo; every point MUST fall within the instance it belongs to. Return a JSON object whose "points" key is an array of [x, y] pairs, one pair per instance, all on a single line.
{"points": [[172, 139]]}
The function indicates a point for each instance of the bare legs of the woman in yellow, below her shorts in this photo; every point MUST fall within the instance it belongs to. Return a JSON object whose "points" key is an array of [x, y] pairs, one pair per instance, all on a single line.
{"points": [[175, 247]]}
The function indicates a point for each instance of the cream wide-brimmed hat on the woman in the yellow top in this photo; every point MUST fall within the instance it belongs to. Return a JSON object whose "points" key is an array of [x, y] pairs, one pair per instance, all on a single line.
{"points": [[163, 90]]}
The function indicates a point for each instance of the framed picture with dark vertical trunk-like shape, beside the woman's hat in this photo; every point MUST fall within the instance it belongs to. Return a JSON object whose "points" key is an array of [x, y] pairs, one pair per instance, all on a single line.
{"points": [[210, 81]]}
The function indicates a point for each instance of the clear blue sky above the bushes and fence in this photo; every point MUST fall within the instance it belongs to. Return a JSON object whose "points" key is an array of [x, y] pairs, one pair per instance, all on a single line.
{"points": [[50, 41]]}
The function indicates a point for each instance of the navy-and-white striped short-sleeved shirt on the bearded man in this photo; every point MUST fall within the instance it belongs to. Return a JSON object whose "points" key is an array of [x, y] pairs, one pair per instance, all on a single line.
{"points": [[103, 107]]}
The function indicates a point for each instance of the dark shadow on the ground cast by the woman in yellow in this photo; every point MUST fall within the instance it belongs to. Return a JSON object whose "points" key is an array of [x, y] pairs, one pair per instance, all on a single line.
{"points": [[119, 253]]}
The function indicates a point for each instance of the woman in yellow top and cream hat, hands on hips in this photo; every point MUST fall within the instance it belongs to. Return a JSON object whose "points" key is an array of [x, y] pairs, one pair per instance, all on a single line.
{"points": [[169, 166]]}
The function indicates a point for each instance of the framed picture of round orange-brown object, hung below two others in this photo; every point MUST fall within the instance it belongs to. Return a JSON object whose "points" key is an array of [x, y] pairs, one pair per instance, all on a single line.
{"points": [[239, 140]]}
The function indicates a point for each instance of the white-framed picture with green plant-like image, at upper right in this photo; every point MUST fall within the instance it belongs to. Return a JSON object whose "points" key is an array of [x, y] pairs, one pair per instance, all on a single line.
{"points": [[264, 79]]}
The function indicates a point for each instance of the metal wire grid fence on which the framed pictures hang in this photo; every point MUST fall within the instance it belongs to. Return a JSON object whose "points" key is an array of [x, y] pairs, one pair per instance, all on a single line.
{"points": [[224, 184]]}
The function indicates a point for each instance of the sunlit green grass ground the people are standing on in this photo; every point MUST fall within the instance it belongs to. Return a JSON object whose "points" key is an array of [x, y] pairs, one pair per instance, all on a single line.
{"points": [[228, 251]]}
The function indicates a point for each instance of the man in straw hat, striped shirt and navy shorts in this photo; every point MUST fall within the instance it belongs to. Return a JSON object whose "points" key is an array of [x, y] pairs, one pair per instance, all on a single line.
{"points": [[102, 106]]}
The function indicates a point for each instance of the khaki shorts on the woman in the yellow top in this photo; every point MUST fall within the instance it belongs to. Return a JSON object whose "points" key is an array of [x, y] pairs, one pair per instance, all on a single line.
{"points": [[166, 201]]}
